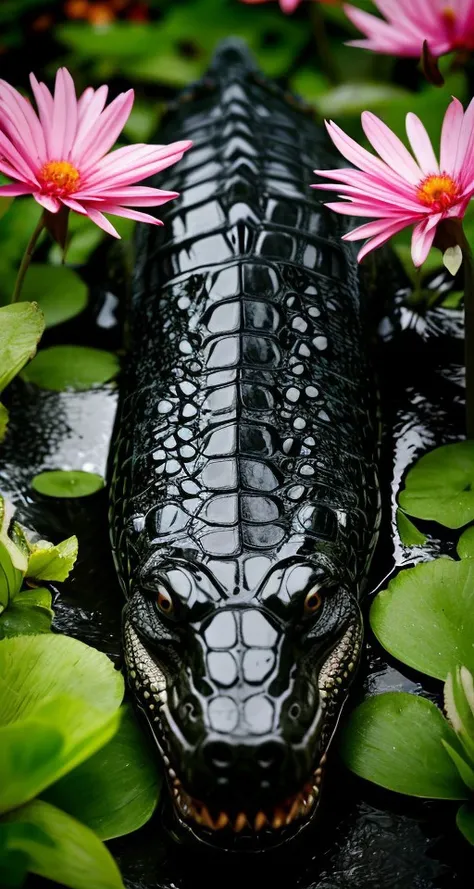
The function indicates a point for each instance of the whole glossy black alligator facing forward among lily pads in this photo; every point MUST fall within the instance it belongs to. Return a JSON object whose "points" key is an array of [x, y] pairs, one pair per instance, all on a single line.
{"points": [[244, 470]]}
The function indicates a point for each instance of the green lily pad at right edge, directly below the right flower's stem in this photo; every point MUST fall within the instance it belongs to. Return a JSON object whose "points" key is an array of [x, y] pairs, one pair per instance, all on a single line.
{"points": [[440, 487]]}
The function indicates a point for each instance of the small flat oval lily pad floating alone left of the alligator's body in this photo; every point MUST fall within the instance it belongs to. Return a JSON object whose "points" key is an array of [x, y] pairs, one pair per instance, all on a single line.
{"points": [[71, 367]]}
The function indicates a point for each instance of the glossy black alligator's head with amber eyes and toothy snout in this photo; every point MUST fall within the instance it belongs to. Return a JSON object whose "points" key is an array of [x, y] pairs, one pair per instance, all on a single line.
{"points": [[242, 686]]}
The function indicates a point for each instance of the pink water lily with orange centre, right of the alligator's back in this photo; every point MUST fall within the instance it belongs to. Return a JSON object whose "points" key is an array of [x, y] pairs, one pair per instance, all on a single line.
{"points": [[399, 189]]}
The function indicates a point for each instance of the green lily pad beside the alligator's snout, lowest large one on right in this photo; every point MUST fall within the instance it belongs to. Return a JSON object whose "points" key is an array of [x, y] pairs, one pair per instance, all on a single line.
{"points": [[394, 740]]}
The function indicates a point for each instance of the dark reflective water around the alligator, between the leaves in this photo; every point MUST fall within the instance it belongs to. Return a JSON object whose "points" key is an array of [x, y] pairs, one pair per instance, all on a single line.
{"points": [[366, 838]]}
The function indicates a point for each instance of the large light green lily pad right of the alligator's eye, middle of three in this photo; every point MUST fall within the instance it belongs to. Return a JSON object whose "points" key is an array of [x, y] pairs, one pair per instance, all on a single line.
{"points": [[425, 617]]}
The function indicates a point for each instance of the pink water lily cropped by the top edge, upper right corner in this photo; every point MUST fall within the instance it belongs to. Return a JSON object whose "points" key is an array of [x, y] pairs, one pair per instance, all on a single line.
{"points": [[446, 25]]}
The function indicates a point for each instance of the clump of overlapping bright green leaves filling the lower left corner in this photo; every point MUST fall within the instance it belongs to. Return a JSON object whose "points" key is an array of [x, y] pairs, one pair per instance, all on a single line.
{"points": [[74, 768]]}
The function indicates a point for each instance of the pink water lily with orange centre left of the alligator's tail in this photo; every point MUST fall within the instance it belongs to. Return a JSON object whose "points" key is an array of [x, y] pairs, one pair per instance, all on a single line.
{"points": [[60, 155]]}
